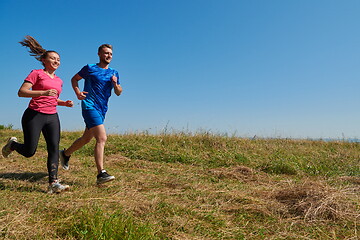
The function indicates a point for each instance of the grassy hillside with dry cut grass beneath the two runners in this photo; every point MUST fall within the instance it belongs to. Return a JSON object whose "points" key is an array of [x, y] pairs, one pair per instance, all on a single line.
{"points": [[187, 186]]}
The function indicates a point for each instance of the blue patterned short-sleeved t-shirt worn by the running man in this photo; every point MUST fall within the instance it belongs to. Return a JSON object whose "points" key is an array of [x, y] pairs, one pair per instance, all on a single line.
{"points": [[98, 84]]}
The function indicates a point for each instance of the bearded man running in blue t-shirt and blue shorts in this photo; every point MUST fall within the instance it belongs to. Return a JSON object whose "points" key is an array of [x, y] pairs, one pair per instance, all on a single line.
{"points": [[100, 79]]}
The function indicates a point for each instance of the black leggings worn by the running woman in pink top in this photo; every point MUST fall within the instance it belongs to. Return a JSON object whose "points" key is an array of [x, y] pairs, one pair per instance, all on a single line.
{"points": [[33, 123]]}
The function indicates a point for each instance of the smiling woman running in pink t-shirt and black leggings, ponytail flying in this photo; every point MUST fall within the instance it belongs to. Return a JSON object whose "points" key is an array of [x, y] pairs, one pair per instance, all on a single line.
{"points": [[44, 88]]}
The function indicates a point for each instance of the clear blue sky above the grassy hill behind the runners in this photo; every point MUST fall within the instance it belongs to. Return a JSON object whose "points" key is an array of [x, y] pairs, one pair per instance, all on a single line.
{"points": [[276, 68]]}
